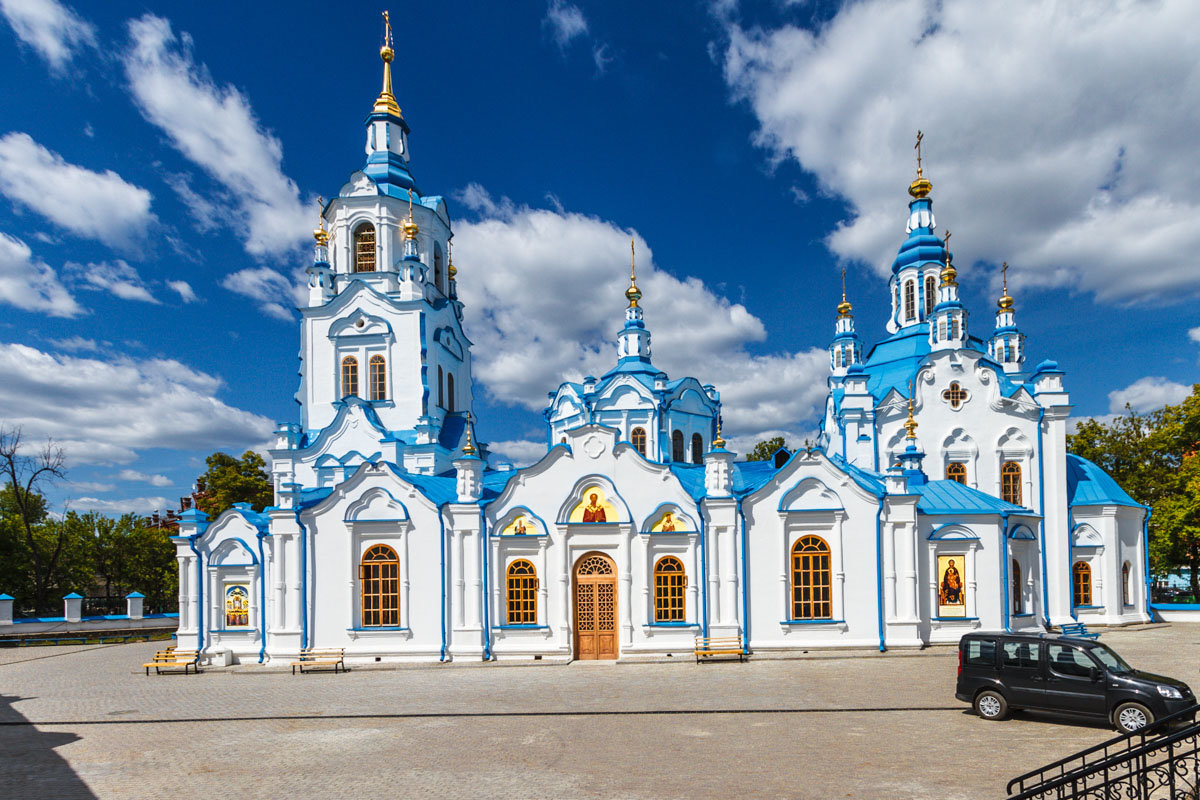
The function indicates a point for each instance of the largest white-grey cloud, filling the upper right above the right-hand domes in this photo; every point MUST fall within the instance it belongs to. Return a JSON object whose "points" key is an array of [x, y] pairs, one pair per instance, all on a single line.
{"points": [[1052, 143]]}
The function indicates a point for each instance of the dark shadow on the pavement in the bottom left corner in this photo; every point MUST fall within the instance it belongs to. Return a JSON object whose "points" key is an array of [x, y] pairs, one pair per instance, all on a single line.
{"points": [[32, 767]]}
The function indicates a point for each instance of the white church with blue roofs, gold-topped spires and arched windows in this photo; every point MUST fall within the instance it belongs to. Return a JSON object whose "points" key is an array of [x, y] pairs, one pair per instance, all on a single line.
{"points": [[940, 498]]}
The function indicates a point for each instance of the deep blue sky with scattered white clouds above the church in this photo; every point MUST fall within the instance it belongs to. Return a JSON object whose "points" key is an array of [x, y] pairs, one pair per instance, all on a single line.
{"points": [[160, 166]]}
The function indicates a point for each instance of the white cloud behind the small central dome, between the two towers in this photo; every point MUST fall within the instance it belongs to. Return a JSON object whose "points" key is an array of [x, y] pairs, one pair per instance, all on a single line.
{"points": [[526, 346]]}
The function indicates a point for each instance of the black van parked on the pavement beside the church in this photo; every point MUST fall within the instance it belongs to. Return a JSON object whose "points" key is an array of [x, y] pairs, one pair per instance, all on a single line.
{"points": [[1001, 672]]}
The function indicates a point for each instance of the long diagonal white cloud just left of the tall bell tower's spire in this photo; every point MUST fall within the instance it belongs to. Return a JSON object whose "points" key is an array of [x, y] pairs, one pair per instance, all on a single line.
{"points": [[215, 128]]}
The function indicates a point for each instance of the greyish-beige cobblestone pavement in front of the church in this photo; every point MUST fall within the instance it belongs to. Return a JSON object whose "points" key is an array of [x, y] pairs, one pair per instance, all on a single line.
{"points": [[86, 723]]}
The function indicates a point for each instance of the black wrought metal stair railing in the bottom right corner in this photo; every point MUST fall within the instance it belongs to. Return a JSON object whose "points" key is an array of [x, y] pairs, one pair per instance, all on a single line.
{"points": [[1161, 762]]}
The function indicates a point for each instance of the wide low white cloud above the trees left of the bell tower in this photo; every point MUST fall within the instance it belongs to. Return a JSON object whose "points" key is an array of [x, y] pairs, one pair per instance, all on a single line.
{"points": [[106, 411]]}
